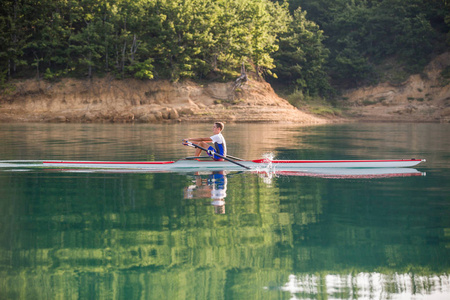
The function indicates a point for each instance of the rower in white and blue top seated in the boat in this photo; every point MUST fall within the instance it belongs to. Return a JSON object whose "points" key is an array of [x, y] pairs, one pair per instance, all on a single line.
{"points": [[220, 146]]}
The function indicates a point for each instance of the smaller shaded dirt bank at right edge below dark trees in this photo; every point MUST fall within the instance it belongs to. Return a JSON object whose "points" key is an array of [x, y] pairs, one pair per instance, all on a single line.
{"points": [[421, 98]]}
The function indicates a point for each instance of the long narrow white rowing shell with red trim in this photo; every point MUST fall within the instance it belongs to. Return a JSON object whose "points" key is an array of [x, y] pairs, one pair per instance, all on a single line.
{"points": [[335, 169]]}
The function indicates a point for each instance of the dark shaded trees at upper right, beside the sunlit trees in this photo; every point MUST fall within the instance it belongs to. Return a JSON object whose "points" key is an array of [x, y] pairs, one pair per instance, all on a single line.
{"points": [[361, 34]]}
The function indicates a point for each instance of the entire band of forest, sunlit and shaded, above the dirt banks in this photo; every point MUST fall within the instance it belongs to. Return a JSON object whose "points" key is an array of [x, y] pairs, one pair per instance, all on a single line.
{"points": [[311, 46]]}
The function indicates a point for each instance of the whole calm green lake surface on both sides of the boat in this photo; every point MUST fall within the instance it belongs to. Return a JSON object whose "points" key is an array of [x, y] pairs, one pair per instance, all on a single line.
{"points": [[81, 235]]}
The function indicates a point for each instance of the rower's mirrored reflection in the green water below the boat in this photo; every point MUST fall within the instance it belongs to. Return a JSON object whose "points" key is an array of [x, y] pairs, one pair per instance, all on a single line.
{"points": [[215, 187]]}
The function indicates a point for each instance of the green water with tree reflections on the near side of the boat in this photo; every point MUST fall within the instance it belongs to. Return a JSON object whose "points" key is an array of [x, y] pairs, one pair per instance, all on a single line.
{"points": [[108, 235]]}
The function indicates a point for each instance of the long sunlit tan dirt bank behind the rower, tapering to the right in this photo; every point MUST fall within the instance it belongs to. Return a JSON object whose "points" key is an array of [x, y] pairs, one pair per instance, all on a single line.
{"points": [[124, 101]]}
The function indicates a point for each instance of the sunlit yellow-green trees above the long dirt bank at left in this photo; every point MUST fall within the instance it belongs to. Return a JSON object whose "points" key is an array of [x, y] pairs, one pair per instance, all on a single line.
{"points": [[146, 38]]}
